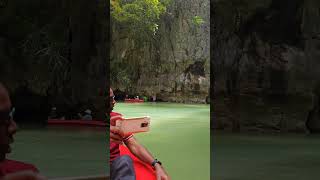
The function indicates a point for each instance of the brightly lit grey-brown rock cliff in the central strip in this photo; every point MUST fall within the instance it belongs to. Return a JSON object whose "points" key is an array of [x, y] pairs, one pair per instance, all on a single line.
{"points": [[175, 64]]}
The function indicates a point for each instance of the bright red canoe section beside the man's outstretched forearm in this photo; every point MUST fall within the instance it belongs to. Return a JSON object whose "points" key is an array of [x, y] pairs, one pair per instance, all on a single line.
{"points": [[143, 171]]}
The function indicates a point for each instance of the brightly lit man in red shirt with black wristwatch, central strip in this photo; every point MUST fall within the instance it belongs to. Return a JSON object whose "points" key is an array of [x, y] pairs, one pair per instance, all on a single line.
{"points": [[121, 167]]}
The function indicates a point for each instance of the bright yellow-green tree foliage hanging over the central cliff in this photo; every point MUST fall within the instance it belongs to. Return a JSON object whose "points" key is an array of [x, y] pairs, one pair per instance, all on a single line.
{"points": [[139, 20]]}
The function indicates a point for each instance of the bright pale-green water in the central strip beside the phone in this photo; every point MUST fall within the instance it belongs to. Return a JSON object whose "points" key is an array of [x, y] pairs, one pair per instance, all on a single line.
{"points": [[179, 136]]}
